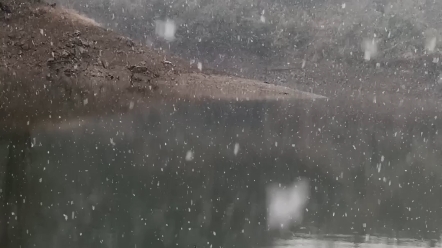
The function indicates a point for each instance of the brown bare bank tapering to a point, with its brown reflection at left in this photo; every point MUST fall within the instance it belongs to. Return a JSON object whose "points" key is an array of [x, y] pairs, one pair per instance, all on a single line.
{"points": [[55, 62]]}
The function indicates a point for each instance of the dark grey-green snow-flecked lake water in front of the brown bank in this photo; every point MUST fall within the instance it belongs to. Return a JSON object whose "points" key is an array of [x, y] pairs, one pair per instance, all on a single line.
{"points": [[126, 181]]}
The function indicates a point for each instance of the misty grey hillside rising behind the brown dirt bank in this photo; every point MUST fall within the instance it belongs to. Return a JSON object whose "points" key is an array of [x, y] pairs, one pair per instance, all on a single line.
{"points": [[308, 44]]}
